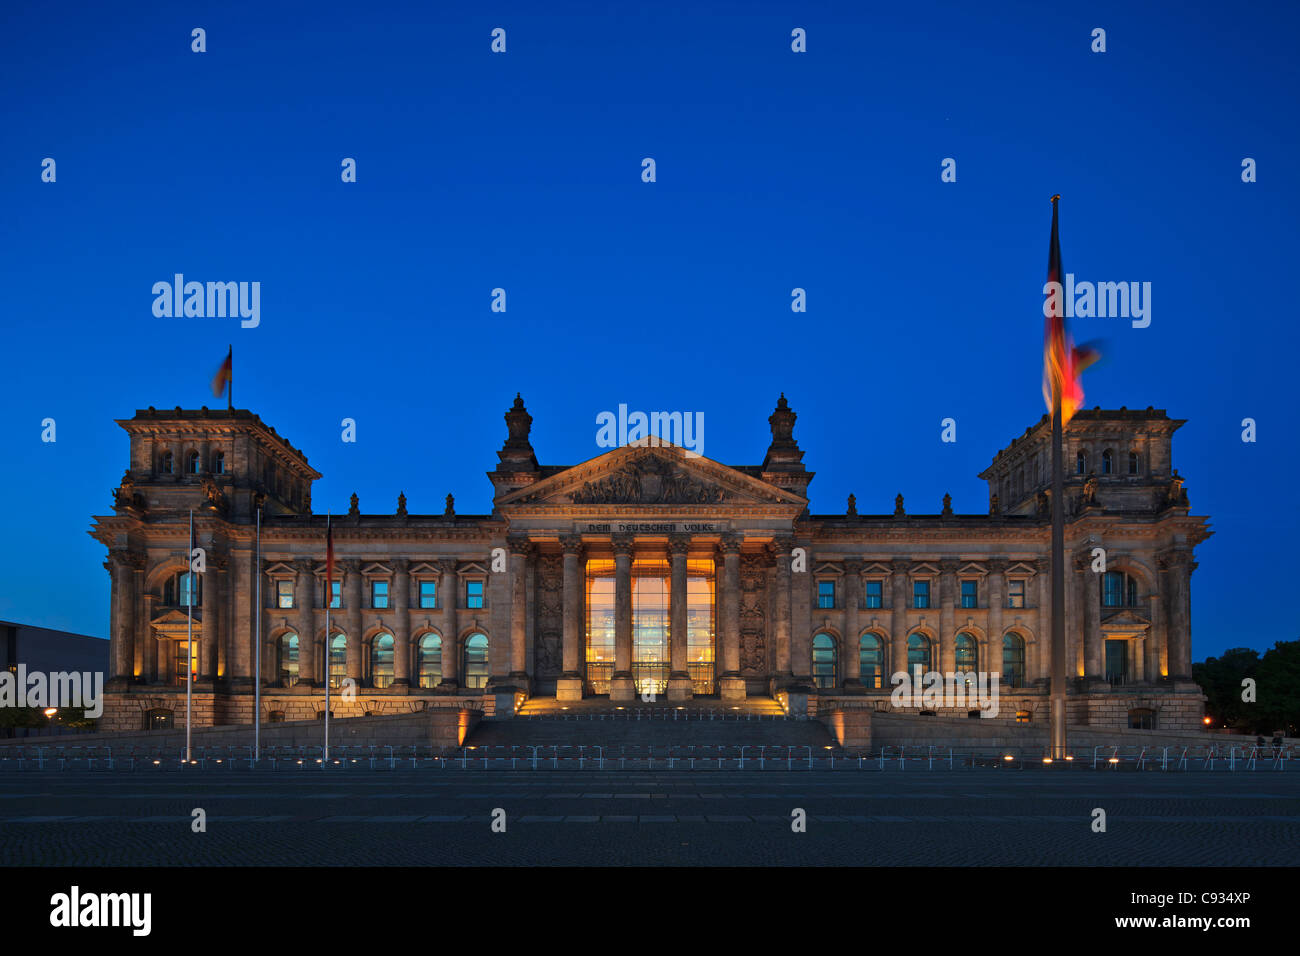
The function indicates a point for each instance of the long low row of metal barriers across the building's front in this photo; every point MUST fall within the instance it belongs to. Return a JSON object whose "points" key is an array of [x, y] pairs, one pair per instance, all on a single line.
{"points": [[749, 758]]}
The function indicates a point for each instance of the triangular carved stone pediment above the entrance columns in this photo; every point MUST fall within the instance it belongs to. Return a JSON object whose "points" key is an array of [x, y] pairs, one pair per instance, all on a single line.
{"points": [[652, 477]]}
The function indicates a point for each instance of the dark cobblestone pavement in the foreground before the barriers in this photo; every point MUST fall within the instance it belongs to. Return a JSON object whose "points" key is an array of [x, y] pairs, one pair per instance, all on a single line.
{"points": [[430, 817]]}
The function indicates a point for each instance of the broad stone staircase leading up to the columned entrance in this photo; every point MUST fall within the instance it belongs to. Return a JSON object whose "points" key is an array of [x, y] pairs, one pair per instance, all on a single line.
{"points": [[636, 728]]}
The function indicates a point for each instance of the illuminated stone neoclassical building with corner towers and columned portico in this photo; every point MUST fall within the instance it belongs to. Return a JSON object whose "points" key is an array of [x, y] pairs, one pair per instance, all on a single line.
{"points": [[647, 570]]}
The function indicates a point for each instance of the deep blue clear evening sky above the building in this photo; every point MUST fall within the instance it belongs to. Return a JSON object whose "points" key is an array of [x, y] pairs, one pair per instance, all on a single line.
{"points": [[522, 171]]}
